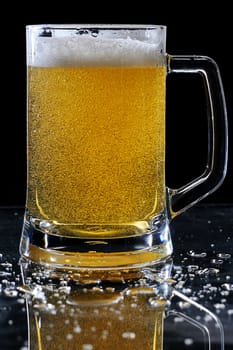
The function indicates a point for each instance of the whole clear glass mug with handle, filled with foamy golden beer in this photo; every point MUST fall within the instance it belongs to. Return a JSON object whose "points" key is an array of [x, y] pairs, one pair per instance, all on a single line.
{"points": [[96, 192]]}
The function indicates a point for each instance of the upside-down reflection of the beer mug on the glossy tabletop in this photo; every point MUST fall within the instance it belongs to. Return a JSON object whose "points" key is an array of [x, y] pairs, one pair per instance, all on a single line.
{"points": [[83, 312]]}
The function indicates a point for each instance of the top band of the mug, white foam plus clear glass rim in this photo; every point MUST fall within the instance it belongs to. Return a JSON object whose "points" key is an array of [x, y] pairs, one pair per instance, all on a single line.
{"points": [[49, 46]]}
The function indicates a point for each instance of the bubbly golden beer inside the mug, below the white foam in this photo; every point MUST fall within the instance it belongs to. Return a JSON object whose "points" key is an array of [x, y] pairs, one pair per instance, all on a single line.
{"points": [[96, 143]]}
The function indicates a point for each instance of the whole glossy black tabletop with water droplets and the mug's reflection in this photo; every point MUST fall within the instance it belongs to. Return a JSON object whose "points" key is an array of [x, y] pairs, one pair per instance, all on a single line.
{"points": [[186, 303]]}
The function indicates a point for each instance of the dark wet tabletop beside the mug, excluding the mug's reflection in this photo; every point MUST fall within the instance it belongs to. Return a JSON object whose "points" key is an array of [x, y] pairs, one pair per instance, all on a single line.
{"points": [[202, 269]]}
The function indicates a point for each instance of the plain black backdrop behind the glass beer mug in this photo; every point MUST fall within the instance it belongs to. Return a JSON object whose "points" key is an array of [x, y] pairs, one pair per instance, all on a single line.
{"points": [[192, 28]]}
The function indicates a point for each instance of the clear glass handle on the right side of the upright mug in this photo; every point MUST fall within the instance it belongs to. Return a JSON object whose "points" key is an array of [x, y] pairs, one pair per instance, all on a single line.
{"points": [[186, 196]]}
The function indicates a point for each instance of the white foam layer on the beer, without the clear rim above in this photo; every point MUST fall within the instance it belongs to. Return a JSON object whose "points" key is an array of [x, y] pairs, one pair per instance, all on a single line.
{"points": [[93, 51]]}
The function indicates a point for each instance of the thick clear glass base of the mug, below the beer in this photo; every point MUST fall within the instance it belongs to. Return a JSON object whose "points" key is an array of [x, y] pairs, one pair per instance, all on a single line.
{"points": [[95, 254]]}
